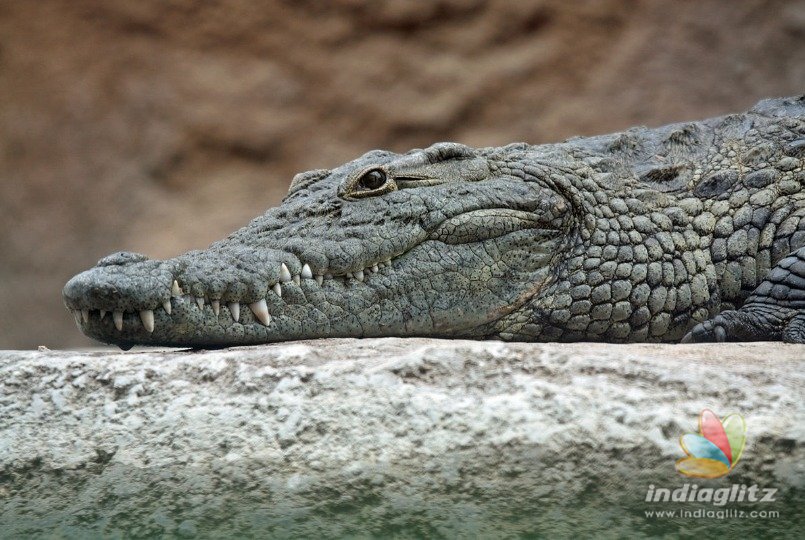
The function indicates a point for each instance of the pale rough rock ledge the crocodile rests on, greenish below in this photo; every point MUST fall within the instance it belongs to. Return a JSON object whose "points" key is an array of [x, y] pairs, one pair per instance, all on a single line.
{"points": [[388, 437]]}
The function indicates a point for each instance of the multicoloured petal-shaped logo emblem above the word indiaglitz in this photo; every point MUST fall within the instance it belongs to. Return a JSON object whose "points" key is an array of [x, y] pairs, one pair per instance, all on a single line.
{"points": [[716, 449]]}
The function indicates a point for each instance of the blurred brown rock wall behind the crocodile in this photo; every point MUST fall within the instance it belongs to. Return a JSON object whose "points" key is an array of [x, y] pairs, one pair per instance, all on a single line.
{"points": [[162, 125]]}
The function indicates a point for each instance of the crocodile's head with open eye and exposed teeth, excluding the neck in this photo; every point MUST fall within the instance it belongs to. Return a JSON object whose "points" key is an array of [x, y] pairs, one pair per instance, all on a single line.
{"points": [[437, 242]]}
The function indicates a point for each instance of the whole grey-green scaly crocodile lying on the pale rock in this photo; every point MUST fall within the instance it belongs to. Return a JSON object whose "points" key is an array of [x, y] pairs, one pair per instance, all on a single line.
{"points": [[692, 230]]}
